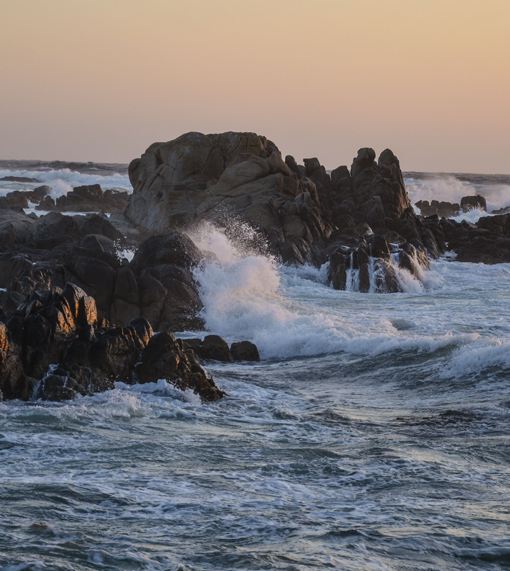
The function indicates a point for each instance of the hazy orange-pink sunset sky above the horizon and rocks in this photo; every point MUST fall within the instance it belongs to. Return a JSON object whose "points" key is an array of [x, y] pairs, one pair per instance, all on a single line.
{"points": [[100, 80]]}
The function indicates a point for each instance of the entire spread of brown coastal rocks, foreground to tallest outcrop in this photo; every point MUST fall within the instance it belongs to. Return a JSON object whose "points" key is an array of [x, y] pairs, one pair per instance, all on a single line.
{"points": [[75, 316]]}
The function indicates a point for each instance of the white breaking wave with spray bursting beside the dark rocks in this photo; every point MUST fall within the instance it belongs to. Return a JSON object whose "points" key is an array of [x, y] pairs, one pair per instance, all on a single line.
{"points": [[247, 295]]}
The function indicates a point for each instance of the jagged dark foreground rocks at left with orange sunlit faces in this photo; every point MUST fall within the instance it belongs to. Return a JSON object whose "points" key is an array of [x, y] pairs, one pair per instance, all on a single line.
{"points": [[54, 347]]}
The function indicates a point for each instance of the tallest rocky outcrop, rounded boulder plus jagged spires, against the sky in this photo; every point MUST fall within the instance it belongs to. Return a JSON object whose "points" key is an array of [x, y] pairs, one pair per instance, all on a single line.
{"points": [[305, 214]]}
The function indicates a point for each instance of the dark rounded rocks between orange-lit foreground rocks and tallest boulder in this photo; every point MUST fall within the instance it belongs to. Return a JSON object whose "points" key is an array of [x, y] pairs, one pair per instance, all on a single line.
{"points": [[158, 284]]}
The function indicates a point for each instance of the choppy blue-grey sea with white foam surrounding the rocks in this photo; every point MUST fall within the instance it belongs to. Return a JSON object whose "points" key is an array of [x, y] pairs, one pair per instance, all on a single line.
{"points": [[373, 434]]}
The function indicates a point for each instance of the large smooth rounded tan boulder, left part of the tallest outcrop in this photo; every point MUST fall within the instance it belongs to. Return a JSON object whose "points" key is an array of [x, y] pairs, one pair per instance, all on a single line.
{"points": [[214, 177]]}
